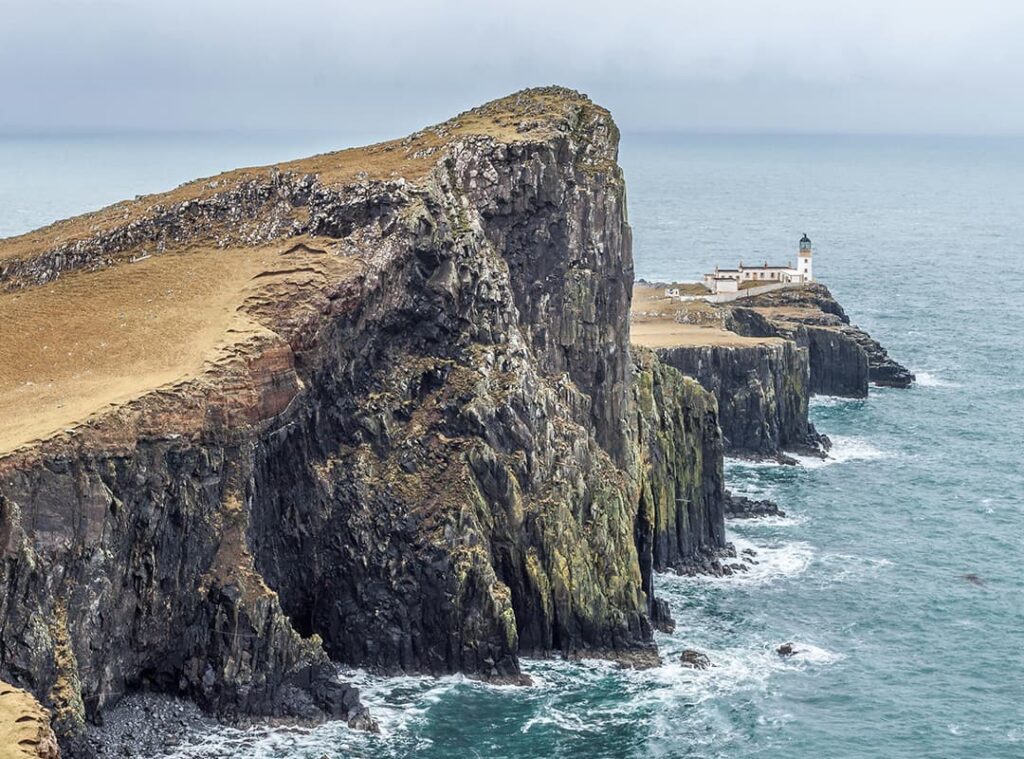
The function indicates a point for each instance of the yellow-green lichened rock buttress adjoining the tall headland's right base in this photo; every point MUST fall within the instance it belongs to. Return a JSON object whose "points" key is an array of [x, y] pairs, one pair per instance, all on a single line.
{"points": [[679, 522]]}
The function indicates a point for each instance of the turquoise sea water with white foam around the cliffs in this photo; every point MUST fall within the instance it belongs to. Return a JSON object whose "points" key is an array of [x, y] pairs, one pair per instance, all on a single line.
{"points": [[923, 241]]}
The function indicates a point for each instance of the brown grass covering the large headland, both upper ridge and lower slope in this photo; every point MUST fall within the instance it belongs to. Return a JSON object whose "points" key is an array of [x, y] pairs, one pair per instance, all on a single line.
{"points": [[90, 342]]}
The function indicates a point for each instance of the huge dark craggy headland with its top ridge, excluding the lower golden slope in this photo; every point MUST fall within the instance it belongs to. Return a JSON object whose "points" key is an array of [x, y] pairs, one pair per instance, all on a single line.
{"points": [[425, 452]]}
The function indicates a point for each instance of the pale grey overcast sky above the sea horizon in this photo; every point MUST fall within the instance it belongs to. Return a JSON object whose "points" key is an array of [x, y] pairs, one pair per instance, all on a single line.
{"points": [[382, 67]]}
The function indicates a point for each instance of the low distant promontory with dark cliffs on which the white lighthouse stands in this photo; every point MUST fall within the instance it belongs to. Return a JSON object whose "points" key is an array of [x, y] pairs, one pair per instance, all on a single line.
{"points": [[763, 358]]}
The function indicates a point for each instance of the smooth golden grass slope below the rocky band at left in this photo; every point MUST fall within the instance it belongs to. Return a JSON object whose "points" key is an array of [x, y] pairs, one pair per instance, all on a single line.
{"points": [[92, 341]]}
